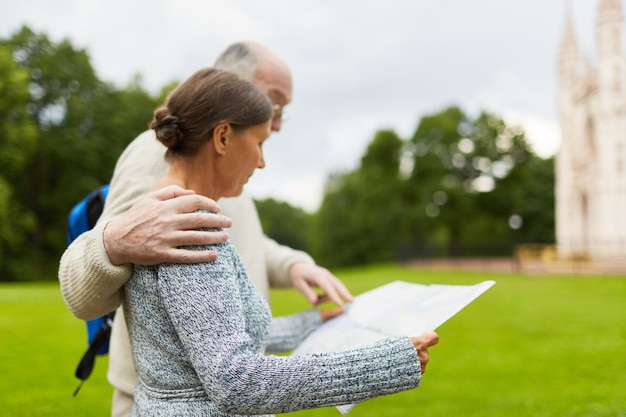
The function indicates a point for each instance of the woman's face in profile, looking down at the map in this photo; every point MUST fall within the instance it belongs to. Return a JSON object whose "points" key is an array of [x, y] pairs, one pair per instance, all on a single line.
{"points": [[245, 154]]}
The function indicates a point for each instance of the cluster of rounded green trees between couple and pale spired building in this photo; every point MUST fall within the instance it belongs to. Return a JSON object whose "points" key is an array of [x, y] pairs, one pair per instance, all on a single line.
{"points": [[459, 186]]}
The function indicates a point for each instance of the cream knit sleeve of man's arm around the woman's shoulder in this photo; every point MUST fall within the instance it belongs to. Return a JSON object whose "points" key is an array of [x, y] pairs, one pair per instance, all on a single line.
{"points": [[90, 284]]}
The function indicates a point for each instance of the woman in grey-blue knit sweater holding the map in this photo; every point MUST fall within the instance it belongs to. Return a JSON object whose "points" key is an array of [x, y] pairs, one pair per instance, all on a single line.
{"points": [[200, 332]]}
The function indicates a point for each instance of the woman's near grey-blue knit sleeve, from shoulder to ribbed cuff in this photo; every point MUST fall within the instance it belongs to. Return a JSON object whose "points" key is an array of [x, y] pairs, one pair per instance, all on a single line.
{"points": [[241, 380]]}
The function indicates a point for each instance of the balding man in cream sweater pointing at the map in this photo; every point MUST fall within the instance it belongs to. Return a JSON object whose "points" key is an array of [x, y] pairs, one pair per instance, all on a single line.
{"points": [[139, 227]]}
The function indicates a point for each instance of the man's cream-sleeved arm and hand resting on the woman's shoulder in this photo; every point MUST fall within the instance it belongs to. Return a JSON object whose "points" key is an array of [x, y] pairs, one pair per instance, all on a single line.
{"points": [[135, 227]]}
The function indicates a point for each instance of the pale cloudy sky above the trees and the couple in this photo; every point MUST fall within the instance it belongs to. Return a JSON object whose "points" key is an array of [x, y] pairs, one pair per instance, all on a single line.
{"points": [[358, 65]]}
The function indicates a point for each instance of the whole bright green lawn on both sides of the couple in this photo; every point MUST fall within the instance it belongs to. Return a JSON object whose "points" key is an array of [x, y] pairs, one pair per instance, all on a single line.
{"points": [[530, 346]]}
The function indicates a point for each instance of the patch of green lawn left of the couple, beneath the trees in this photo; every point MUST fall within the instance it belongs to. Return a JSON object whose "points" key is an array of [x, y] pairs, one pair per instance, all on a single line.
{"points": [[40, 346]]}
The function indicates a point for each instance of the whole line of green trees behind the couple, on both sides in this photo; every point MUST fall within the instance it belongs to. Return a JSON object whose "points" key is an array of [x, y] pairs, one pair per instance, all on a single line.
{"points": [[458, 183]]}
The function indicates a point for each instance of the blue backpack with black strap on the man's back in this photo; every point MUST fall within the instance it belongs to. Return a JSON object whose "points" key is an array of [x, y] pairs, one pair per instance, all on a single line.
{"points": [[83, 217]]}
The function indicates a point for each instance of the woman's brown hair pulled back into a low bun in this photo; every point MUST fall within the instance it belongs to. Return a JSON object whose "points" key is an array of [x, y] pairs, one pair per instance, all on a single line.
{"points": [[207, 98]]}
